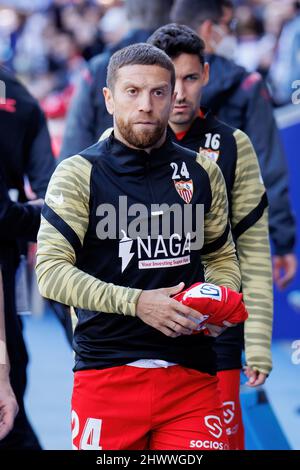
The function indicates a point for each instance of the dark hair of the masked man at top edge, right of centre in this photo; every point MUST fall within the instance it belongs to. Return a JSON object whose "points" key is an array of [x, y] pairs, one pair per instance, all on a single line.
{"points": [[193, 13]]}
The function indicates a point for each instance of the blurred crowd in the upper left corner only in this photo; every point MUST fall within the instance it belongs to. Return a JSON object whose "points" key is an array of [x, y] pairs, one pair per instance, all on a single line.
{"points": [[48, 42]]}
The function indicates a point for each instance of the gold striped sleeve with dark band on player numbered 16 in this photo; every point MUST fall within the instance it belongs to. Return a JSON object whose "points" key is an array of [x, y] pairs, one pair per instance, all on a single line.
{"points": [[250, 228]]}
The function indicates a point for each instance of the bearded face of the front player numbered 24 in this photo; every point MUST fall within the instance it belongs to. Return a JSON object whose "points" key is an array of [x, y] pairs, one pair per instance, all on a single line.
{"points": [[140, 102]]}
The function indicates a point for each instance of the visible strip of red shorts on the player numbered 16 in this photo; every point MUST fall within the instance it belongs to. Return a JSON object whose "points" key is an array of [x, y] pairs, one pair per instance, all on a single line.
{"points": [[229, 383]]}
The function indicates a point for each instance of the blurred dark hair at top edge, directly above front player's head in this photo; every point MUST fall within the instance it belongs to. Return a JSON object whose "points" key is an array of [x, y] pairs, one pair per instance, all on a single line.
{"points": [[151, 14]]}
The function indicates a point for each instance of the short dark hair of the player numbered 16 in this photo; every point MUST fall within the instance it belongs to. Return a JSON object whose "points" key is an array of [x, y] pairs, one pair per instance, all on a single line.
{"points": [[175, 39]]}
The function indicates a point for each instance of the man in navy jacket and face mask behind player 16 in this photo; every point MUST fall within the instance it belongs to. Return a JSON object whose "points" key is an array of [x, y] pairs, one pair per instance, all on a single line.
{"points": [[241, 100]]}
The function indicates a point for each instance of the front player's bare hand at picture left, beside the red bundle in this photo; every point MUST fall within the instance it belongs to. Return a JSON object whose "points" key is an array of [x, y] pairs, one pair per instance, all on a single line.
{"points": [[157, 309]]}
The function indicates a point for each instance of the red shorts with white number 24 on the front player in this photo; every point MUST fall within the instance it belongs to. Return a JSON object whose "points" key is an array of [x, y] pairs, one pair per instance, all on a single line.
{"points": [[132, 408]]}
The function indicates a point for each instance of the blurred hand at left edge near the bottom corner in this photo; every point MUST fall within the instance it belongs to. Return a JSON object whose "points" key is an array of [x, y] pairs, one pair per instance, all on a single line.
{"points": [[8, 407]]}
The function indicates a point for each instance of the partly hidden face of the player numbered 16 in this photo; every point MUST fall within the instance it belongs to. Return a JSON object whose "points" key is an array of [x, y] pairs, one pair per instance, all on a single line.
{"points": [[191, 76]]}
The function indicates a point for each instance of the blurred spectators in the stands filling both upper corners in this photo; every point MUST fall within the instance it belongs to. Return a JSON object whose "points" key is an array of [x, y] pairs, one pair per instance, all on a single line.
{"points": [[47, 42]]}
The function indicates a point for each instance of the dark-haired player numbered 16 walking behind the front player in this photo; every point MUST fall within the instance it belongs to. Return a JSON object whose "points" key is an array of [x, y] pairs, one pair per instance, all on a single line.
{"points": [[196, 128]]}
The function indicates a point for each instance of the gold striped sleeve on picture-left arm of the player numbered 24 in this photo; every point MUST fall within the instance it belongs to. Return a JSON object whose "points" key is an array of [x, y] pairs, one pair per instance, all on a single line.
{"points": [[63, 226]]}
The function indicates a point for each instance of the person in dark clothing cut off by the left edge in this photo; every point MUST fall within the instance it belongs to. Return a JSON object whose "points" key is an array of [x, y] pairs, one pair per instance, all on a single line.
{"points": [[25, 152]]}
